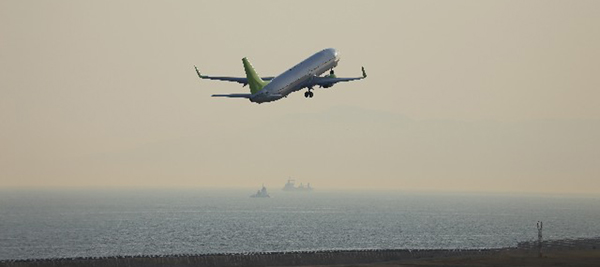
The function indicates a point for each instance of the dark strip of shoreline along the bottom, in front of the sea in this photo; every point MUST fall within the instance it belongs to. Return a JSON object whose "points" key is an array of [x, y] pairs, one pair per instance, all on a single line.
{"points": [[569, 247]]}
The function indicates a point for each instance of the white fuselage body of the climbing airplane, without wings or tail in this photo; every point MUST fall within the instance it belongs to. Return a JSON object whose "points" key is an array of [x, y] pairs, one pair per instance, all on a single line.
{"points": [[295, 78]]}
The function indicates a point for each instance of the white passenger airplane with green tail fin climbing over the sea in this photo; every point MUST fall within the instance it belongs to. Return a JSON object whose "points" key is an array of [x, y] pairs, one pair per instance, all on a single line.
{"points": [[305, 74]]}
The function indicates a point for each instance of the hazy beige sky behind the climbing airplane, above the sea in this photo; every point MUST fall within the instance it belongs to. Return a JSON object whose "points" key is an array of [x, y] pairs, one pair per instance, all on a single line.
{"points": [[461, 95]]}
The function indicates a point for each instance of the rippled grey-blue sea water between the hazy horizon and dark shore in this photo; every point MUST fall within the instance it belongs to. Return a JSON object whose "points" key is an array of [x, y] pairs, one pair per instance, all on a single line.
{"points": [[72, 223]]}
